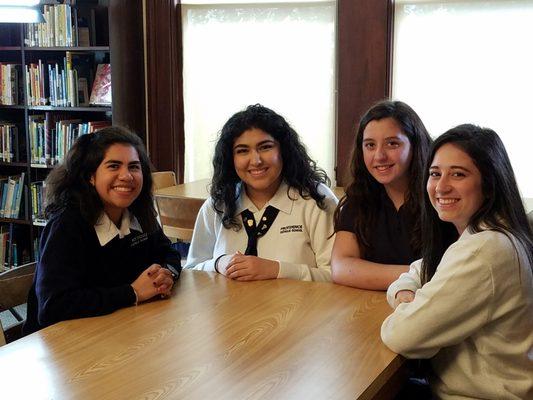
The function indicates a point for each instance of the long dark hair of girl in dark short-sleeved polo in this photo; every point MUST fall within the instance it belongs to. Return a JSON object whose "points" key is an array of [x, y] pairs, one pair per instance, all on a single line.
{"points": [[363, 192]]}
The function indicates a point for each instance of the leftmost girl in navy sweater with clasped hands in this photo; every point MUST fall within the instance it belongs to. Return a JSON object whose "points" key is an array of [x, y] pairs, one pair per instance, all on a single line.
{"points": [[102, 248]]}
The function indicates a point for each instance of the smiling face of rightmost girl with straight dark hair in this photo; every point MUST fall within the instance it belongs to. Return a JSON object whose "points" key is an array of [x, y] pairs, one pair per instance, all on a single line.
{"points": [[454, 186]]}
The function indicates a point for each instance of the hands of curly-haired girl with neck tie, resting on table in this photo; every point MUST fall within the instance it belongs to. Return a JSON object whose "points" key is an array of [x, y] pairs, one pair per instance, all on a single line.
{"points": [[247, 268]]}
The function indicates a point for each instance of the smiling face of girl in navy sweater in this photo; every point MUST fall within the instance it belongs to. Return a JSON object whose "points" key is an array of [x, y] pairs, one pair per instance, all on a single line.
{"points": [[118, 179]]}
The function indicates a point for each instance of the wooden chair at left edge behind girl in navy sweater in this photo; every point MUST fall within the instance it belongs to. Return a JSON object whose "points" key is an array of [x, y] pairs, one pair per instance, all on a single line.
{"points": [[14, 287]]}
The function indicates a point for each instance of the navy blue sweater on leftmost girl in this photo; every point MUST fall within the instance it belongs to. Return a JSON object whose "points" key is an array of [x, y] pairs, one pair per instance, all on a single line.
{"points": [[76, 277]]}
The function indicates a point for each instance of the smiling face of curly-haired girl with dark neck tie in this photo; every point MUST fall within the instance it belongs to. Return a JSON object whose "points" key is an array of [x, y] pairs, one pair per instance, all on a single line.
{"points": [[258, 163]]}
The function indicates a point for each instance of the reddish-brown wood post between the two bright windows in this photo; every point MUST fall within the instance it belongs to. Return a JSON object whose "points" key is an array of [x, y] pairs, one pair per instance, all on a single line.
{"points": [[364, 49]]}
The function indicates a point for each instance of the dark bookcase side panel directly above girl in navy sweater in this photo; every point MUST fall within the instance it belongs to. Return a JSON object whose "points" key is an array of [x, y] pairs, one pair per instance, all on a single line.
{"points": [[127, 66]]}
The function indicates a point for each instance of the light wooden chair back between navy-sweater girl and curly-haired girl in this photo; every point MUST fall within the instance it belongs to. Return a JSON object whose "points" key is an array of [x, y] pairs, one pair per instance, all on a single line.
{"points": [[178, 215]]}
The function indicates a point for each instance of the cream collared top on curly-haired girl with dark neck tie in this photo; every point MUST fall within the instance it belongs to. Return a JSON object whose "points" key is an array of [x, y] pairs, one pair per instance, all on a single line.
{"points": [[299, 237]]}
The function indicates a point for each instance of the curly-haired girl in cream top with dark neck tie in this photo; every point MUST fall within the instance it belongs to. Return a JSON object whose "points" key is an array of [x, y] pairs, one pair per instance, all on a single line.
{"points": [[270, 214]]}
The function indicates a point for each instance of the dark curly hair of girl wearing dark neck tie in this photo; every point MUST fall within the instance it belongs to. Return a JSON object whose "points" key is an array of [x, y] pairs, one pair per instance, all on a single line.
{"points": [[299, 170]]}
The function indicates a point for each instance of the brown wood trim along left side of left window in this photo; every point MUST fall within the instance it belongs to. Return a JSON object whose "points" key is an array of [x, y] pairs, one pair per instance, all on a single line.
{"points": [[164, 85]]}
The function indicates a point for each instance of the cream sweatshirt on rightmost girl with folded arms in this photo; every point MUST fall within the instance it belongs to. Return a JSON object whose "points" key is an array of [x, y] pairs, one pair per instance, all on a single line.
{"points": [[474, 319]]}
